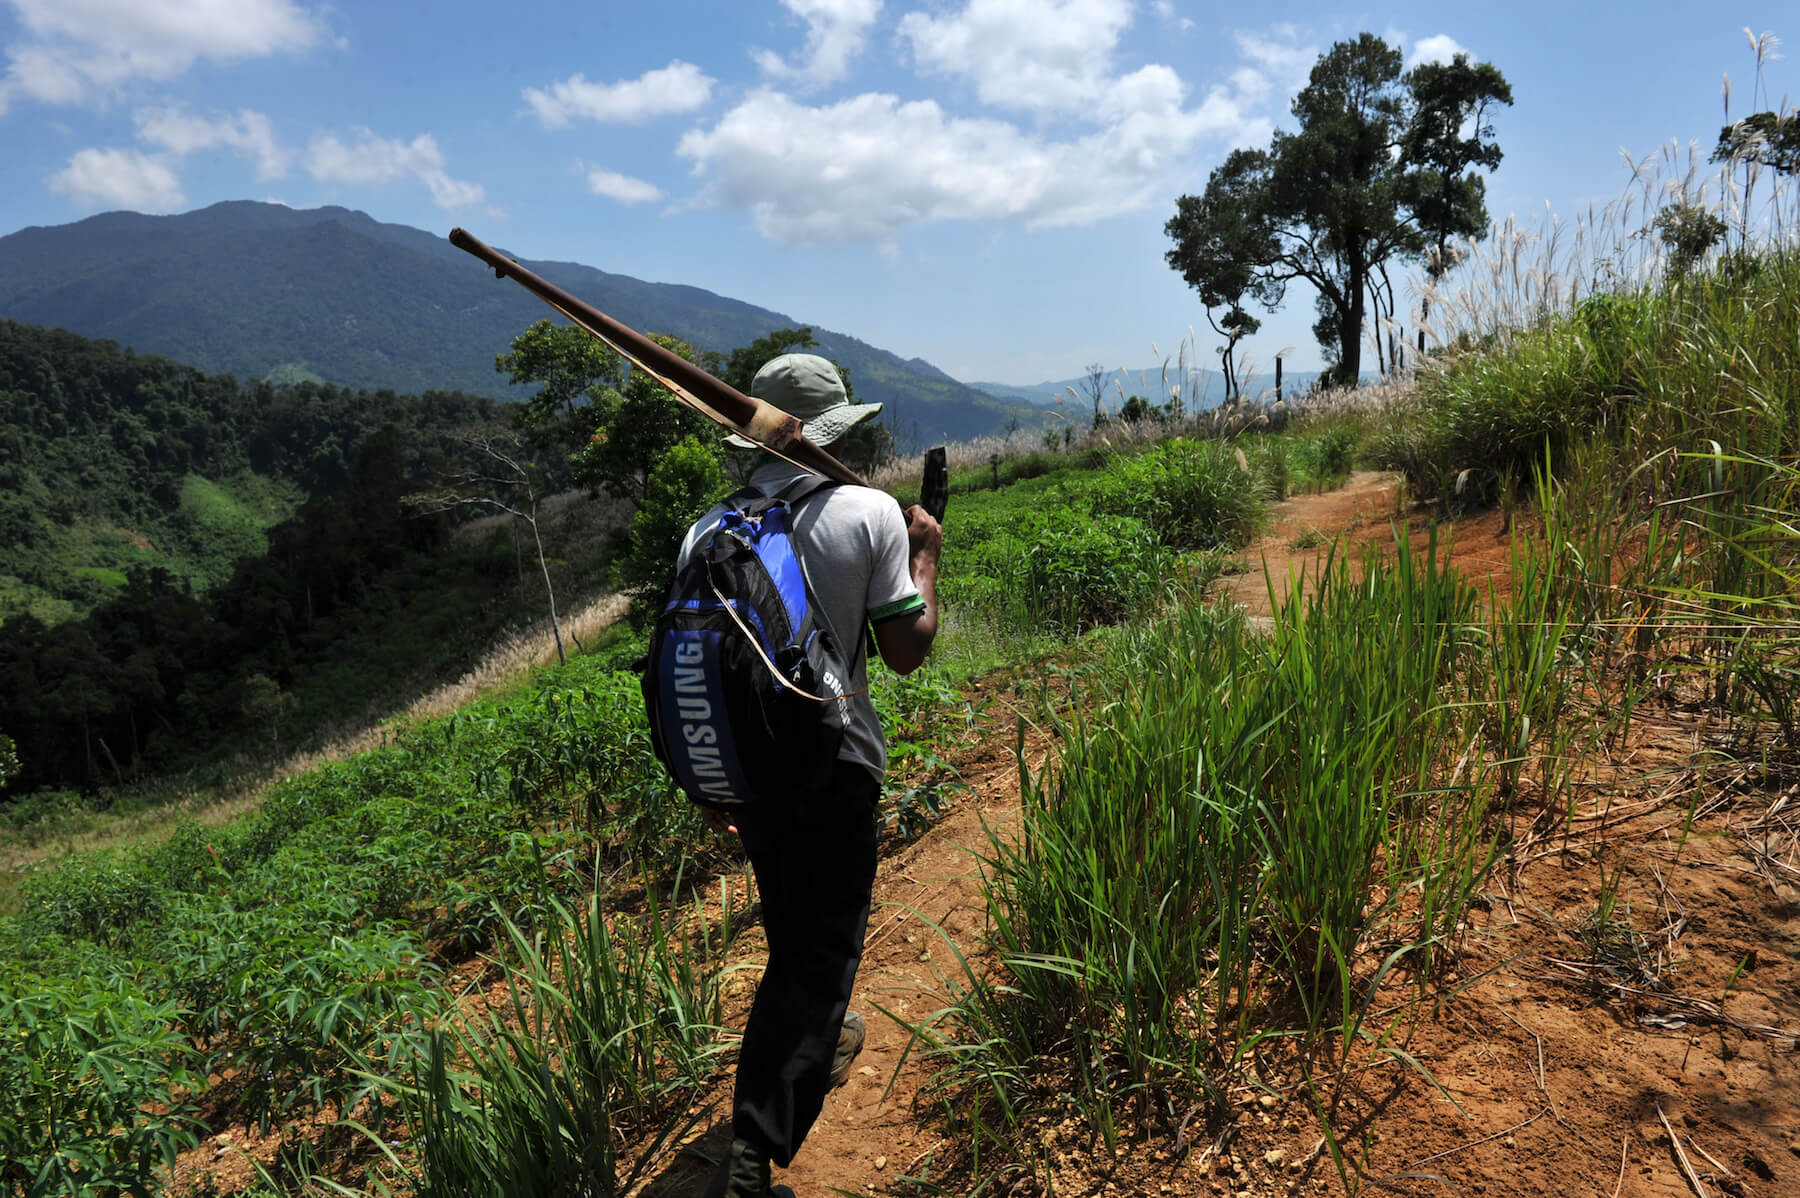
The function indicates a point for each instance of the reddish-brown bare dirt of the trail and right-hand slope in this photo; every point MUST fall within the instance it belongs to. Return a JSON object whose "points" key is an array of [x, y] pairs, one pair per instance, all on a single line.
{"points": [[1547, 1084]]}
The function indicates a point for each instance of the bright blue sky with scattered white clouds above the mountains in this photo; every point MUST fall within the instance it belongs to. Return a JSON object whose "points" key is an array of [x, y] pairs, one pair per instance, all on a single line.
{"points": [[975, 183]]}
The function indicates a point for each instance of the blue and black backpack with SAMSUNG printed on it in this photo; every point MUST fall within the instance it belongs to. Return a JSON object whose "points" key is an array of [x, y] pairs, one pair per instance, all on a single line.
{"points": [[746, 679]]}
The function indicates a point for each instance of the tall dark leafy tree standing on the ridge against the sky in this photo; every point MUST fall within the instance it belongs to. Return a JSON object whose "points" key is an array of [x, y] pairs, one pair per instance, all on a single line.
{"points": [[1381, 170]]}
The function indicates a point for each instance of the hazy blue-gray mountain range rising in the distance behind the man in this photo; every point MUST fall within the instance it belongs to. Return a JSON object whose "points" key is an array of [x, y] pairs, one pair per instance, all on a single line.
{"points": [[260, 291]]}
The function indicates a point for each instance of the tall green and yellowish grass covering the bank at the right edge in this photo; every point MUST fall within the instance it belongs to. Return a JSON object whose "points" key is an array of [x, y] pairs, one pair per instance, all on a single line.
{"points": [[1655, 436]]}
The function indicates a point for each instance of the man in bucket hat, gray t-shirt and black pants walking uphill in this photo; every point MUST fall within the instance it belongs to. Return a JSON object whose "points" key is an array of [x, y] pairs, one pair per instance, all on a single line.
{"points": [[814, 854]]}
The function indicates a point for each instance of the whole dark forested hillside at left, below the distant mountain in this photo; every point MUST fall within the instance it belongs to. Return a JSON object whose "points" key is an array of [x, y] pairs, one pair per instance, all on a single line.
{"points": [[190, 562]]}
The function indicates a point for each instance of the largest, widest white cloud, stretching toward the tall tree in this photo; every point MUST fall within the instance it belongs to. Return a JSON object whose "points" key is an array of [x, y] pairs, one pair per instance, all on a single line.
{"points": [[872, 166]]}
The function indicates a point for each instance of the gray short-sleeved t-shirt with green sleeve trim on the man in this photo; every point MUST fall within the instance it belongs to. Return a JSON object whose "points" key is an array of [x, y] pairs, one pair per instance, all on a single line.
{"points": [[854, 546]]}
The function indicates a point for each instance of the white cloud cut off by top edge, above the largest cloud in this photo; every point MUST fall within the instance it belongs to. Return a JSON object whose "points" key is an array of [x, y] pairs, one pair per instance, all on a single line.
{"points": [[1054, 57]]}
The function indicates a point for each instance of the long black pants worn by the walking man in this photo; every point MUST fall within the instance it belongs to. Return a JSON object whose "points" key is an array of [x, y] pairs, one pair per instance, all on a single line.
{"points": [[814, 861]]}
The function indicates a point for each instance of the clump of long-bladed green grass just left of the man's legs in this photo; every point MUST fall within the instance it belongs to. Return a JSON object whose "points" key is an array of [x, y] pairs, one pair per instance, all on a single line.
{"points": [[609, 1024]]}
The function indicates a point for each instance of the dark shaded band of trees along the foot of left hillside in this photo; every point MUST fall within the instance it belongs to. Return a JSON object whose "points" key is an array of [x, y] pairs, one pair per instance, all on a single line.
{"points": [[363, 602]]}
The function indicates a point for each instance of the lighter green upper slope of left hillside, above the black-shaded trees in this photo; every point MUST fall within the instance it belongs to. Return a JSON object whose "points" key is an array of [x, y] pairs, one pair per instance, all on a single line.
{"points": [[114, 461]]}
